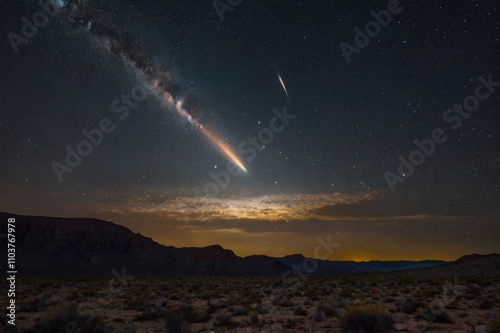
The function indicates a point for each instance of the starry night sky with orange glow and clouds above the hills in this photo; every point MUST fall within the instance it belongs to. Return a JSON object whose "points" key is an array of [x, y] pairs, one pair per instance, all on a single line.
{"points": [[353, 116]]}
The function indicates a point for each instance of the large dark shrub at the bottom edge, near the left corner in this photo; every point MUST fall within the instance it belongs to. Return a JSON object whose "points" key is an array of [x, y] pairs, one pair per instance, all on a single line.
{"points": [[63, 317]]}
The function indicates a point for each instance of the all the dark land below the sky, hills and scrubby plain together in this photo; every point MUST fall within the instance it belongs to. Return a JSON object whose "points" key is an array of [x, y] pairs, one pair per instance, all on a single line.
{"points": [[86, 275]]}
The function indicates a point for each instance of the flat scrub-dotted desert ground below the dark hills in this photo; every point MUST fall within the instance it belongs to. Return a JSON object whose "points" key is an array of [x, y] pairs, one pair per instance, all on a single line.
{"points": [[346, 303]]}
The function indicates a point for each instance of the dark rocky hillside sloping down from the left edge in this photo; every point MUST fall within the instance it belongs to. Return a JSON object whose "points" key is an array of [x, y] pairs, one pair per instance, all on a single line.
{"points": [[79, 246]]}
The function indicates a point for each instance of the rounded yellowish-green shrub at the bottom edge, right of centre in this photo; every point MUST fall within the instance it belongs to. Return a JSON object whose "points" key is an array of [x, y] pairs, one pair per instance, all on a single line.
{"points": [[366, 318]]}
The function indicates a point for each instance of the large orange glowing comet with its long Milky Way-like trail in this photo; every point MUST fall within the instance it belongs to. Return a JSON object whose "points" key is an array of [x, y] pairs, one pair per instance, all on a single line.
{"points": [[108, 32]]}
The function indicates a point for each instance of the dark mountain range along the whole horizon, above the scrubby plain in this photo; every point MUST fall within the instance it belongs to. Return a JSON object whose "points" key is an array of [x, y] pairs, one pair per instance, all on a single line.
{"points": [[82, 246]]}
